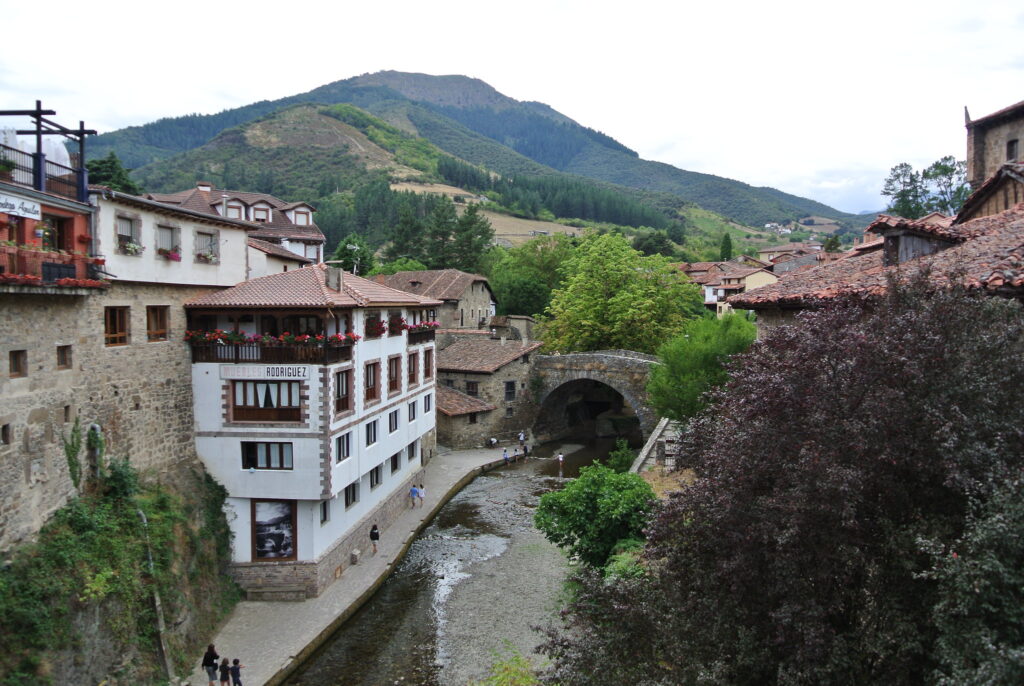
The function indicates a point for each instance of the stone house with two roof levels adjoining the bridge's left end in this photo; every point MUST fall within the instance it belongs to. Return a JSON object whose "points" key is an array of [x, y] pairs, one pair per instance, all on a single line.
{"points": [[490, 380]]}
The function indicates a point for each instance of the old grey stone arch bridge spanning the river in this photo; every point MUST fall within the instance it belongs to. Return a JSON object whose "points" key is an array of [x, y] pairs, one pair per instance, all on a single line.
{"points": [[562, 381]]}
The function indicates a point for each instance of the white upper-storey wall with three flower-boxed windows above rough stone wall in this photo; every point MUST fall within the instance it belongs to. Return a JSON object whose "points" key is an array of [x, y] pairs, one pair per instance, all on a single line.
{"points": [[210, 252]]}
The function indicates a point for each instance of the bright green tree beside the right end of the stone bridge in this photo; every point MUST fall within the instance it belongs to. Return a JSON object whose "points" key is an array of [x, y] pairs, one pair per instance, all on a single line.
{"points": [[694, 363]]}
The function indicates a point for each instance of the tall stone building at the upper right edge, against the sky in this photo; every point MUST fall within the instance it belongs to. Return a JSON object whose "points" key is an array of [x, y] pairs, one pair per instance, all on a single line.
{"points": [[993, 142]]}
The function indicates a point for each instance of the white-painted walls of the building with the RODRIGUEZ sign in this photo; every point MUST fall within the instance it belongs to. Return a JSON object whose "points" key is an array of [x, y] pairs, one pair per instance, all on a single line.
{"points": [[315, 485]]}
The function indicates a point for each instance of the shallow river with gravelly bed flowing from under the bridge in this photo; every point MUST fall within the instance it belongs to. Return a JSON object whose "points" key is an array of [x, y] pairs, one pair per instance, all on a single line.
{"points": [[479, 576]]}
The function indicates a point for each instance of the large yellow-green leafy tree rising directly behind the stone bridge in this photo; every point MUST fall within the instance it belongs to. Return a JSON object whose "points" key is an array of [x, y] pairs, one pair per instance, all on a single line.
{"points": [[616, 298]]}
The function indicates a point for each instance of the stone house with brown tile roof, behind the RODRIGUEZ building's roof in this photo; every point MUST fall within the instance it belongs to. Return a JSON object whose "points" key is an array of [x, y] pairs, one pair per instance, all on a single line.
{"points": [[467, 299]]}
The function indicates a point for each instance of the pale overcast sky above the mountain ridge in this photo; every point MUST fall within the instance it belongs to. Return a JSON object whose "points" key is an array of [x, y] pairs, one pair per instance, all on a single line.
{"points": [[816, 99]]}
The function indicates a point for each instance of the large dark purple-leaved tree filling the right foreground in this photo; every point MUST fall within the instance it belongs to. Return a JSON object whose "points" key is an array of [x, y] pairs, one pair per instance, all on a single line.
{"points": [[844, 454]]}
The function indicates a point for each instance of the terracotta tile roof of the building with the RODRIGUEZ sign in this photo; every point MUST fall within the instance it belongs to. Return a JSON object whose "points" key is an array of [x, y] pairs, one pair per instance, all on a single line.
{"points": [[307, 288]]}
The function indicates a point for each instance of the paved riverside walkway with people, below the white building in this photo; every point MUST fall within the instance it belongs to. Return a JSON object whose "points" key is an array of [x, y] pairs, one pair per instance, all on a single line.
{"points": [[270, 636]]}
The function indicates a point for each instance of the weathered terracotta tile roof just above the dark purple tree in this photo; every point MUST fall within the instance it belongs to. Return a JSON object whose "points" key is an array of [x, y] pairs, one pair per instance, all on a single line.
{"points": [[991, 256]]}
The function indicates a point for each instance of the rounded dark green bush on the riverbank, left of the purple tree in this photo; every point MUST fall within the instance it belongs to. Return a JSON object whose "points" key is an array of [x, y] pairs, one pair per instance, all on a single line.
{"points": [[594, 512]]}
